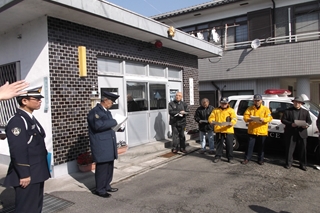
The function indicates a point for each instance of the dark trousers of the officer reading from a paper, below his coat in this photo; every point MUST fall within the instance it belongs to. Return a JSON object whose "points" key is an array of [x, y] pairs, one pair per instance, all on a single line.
{"points": [[103, 176]]}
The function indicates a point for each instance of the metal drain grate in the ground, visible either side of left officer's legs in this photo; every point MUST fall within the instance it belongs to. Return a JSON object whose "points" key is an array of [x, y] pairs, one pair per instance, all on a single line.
{"points": [[51, 204]]}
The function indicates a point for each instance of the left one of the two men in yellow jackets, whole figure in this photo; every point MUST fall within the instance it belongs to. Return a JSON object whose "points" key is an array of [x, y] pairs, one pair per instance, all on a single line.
{"points": [[223, 118]]}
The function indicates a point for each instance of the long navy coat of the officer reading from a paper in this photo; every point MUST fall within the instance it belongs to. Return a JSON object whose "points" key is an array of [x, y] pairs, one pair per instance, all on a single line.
{"points": [[103, 140]]}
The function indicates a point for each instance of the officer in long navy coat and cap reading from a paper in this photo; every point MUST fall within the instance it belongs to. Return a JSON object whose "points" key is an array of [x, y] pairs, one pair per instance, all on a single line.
{"points": [[103, 143]]}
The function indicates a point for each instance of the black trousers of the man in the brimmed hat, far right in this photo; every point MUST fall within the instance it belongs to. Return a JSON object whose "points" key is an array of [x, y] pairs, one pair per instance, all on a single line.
{"points": [[302, 146]]}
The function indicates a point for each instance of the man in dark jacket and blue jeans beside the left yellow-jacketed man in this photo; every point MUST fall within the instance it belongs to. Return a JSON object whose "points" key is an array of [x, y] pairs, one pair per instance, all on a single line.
{"points": [[205, 128]]}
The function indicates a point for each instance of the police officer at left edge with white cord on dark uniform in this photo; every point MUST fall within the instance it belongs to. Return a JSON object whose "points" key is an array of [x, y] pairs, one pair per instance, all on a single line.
{"points": [[28, 168]]}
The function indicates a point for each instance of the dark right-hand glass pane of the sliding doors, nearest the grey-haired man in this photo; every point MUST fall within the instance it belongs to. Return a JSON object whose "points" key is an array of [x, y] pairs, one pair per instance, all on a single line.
{"points": [[157, 96]]}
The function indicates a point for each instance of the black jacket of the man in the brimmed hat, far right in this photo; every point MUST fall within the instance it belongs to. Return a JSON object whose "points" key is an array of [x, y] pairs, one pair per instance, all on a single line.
{"points": [[288, 119]]}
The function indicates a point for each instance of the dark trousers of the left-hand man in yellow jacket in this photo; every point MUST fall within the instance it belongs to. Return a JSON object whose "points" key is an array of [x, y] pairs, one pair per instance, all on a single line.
{"points": [[228, 138]]}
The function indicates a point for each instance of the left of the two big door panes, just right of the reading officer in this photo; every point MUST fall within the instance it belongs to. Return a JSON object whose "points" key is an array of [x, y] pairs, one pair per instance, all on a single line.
{"points": [[137, 99]]}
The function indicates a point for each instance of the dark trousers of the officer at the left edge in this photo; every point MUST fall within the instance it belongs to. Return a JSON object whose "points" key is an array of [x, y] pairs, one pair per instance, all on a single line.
{"points": [[29, 199]]}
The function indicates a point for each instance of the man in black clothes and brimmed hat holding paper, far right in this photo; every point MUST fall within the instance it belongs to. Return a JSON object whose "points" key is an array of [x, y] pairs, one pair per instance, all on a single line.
{"points": [[296, 133]]}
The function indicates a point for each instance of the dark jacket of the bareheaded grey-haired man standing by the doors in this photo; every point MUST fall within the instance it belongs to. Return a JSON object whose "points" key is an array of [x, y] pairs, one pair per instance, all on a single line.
{"points": [[174, 108]]}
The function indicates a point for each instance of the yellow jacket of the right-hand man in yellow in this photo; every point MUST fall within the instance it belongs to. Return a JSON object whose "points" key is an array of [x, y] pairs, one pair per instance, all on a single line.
{"points": [[256, 128]]}
